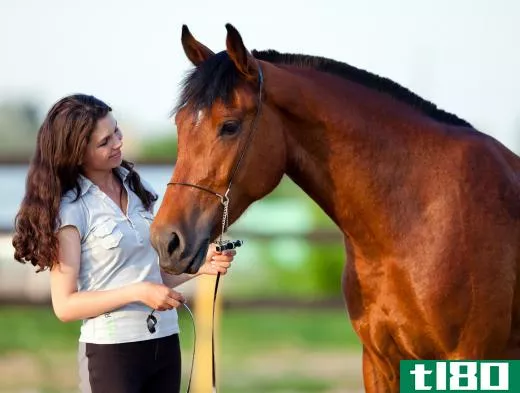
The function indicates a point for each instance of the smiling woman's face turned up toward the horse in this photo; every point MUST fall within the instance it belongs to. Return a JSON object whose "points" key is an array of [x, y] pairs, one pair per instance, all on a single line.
{"points": [[104, 148]]}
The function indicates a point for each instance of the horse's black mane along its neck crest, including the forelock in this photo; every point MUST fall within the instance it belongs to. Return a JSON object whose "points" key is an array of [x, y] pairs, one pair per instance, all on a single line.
{"points": [[217, 77]]}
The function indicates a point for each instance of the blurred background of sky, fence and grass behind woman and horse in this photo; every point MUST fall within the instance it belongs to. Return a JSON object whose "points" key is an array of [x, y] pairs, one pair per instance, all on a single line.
{"points": [[282, 325]]}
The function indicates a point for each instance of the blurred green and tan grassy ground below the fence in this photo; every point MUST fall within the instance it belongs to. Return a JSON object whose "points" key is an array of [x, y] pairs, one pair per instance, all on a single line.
{"points": [[258, 351]]}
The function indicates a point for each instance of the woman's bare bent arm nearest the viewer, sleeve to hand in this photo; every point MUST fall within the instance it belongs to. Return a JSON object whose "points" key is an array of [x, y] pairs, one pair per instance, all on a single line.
{"points": [[71, 305]]}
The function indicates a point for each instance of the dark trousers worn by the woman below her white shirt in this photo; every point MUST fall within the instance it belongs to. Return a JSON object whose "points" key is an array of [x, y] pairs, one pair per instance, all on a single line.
{"points": [[152, 366]]}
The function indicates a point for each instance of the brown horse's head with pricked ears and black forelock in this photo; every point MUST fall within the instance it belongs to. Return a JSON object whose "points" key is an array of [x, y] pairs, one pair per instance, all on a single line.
{"points": [[227, 139]]}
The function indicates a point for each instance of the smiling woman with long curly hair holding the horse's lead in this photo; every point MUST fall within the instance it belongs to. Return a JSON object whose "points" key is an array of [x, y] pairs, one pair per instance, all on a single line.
{"points": [[86, 216]]}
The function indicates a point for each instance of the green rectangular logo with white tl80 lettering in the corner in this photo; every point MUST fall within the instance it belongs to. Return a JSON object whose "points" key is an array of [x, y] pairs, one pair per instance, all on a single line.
{"points": [[460, 376]]}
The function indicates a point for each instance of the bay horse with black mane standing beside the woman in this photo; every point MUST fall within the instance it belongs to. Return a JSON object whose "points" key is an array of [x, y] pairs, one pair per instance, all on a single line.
{"points": [[429, 206]]}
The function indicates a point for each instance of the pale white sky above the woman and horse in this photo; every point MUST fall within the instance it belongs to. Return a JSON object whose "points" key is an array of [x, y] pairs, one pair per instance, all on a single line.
{"points": [[460, 54]]}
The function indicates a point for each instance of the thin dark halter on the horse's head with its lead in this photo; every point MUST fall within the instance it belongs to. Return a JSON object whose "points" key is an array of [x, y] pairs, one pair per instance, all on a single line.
{"points": [[221, 244]]}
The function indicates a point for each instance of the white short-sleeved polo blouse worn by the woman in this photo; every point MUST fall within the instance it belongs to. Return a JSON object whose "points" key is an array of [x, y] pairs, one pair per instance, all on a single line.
{"points": [[115, 251]]}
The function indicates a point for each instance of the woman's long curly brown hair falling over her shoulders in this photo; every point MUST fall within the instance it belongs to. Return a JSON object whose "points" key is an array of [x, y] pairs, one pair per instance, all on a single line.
{"points": [[54, 170]]}
